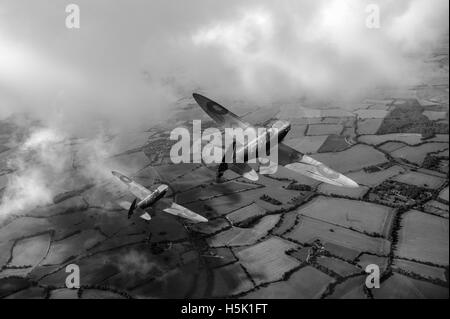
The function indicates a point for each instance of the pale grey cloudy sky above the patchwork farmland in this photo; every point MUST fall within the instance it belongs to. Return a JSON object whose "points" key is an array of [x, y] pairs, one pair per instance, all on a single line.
{"points": [[130, 59]]}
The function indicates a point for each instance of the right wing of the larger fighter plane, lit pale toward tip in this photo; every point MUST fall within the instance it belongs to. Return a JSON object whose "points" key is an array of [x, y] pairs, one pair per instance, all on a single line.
{"points": [[303, 164]]}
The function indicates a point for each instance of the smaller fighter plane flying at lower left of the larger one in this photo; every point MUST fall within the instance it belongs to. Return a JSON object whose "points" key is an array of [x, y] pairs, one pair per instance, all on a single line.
{"points": [[153, 200]]}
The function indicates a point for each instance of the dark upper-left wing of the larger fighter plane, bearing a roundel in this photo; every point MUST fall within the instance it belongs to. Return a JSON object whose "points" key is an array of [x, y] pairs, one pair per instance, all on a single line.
{"points": [[219, 114]]}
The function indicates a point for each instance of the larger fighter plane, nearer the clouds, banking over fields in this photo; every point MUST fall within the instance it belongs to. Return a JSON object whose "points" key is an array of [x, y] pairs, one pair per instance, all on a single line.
{"points": [[287, 156]]}
